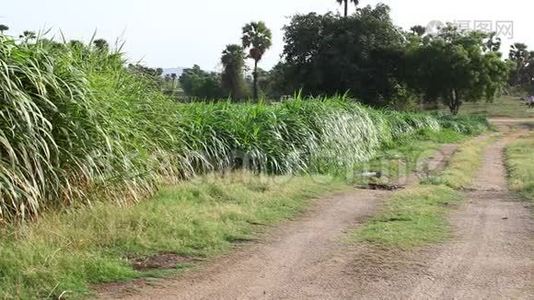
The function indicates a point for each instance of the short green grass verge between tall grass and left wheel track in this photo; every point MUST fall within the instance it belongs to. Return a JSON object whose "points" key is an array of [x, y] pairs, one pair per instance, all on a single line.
{"points": [[64, 252]]}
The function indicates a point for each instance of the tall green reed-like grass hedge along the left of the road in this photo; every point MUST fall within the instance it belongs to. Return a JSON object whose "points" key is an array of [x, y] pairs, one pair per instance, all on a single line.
{"points": [[76, 126]]}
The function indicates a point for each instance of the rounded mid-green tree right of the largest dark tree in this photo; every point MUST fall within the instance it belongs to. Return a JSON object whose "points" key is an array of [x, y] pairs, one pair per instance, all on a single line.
{"points": [[454, 67]]}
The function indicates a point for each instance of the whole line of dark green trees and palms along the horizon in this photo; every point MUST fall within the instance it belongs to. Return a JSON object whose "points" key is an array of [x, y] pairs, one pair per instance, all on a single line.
{"points": [[364, 56]]}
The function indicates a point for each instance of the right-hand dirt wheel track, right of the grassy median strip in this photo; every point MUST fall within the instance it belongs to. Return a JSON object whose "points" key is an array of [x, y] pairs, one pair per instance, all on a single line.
{"points": [[493, 254]]}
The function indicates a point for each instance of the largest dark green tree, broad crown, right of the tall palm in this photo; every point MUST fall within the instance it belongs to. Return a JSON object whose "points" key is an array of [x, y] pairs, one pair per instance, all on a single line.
{"points": [[328, 55]]}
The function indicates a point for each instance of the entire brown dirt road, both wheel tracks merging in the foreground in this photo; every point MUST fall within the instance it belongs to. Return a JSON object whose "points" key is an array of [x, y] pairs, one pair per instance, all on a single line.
{"points": [[490, 256]]}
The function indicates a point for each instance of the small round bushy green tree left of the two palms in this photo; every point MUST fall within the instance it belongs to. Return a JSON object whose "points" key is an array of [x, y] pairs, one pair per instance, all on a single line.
{"points": [[200, 84]]}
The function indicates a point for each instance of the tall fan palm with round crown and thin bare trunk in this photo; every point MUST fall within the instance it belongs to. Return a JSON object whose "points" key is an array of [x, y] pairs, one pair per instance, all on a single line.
{"points": [[256, 38]]}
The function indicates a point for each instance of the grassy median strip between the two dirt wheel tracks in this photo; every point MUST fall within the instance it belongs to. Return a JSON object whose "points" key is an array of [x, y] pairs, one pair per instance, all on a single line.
{"points": [[417, 216]]}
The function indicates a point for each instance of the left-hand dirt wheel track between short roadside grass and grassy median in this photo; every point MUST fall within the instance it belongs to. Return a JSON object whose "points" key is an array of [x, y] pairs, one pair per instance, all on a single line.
{"points": [[305, 258]]}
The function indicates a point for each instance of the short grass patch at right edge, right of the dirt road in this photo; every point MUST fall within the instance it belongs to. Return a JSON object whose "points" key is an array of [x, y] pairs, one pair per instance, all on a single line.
{"points": [[520, 166]]}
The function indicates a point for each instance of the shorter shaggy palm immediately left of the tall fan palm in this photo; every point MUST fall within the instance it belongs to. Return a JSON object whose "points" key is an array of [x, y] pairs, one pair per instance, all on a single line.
{"points": [[233, 60]]}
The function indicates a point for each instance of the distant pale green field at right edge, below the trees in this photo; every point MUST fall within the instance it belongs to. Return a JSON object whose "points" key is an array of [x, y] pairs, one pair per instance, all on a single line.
{"points": [[506, 106]]}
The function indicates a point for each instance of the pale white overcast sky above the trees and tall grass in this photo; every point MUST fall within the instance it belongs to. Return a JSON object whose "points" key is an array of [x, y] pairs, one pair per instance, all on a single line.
{"points": [[180, 33]]}
